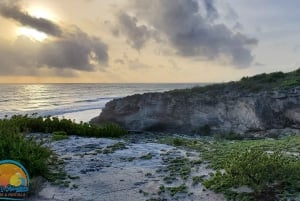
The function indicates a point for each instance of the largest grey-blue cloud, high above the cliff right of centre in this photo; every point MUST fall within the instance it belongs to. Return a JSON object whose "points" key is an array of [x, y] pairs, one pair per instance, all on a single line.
{"points": [[189, 26]]}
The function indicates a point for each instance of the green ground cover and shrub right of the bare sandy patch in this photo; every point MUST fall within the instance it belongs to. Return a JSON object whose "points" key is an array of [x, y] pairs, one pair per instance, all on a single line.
{"points": [[270, 167]]}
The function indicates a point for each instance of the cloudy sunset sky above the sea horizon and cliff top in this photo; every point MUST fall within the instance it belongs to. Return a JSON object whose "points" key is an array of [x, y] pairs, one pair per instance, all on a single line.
{"points": [[134, 41]]}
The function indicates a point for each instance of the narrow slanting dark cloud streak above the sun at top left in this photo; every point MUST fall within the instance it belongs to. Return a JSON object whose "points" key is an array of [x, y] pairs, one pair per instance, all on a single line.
{"points": [[14, 12]]}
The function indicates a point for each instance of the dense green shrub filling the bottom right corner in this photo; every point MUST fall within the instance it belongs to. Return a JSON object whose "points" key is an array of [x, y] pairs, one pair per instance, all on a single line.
{"points": [[267, 174]]}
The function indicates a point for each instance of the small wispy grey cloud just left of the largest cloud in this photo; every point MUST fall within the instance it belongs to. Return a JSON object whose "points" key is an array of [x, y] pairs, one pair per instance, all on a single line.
{"points": [[137, 34]]}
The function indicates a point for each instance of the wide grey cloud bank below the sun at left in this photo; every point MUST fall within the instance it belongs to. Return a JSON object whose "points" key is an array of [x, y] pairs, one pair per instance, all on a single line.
{"points": [[76, 51]]}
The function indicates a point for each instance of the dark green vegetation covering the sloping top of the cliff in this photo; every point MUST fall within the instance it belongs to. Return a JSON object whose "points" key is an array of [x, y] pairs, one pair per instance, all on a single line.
{"points": [[261, 82]]}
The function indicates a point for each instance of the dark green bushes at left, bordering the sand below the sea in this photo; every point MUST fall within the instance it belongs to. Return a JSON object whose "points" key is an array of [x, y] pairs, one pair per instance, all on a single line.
{"points": [[38, 159]]}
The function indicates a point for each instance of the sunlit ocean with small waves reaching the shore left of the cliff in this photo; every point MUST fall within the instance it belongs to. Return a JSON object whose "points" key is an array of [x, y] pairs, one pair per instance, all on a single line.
{"points": [[79, 102]]}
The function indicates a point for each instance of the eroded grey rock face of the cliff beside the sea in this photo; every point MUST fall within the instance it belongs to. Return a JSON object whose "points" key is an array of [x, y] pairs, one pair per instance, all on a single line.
{"points": [[223, 111]]}
